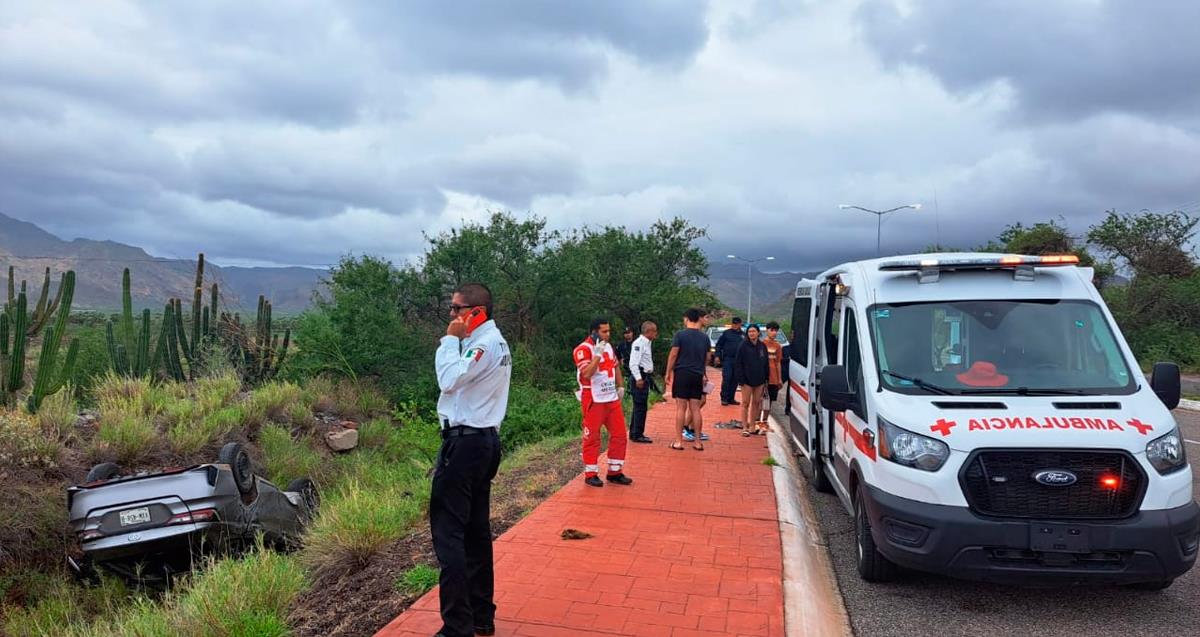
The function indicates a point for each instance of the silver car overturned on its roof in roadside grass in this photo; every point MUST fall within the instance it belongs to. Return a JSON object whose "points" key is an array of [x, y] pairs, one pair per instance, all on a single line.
{"points": [[149, 527]]}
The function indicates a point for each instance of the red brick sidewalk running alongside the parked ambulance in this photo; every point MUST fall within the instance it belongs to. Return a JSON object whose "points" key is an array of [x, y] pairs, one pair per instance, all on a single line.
{"points": [[692, 549]]}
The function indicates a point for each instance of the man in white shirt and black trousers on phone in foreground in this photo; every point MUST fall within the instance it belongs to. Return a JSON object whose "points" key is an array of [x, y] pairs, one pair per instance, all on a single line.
{"points": [[475, 369]]}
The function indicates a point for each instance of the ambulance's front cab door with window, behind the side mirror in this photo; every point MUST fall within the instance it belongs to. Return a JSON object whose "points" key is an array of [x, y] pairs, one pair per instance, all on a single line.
{"points": [[850, 429]]}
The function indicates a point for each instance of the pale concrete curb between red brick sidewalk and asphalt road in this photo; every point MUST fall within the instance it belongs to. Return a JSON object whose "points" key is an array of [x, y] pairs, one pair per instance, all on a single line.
{"points": [[813, 605]]}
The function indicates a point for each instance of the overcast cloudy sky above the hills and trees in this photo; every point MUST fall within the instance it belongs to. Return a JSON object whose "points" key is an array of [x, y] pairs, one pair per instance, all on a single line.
{"points": [[292, 133]]}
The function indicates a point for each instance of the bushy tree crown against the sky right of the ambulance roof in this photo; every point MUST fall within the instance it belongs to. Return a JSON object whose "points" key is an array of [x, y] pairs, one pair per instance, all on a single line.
{"points": [[1150, 244]]}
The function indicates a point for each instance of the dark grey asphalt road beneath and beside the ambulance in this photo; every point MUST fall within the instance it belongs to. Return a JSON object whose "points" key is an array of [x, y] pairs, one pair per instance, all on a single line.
{"points": [[931, 605]]}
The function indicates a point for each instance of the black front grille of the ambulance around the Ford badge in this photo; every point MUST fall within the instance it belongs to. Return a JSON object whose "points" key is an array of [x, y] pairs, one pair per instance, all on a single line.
{"points": [[1001, 483]]}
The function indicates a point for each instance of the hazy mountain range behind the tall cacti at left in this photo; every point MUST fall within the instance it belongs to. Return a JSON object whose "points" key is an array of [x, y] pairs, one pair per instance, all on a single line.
{"points": [[99, 266]]}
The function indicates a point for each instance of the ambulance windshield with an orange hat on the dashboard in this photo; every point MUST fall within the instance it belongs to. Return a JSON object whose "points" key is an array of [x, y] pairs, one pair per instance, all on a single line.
{"points": [[998, 347]]}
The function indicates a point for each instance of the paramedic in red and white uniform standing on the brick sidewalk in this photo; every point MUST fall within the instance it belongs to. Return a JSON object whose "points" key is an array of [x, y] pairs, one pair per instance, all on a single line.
{"points": [[602, 387]]}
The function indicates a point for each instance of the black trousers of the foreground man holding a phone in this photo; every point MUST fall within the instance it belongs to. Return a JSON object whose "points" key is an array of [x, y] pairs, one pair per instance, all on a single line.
{"points": [[460, 508]]}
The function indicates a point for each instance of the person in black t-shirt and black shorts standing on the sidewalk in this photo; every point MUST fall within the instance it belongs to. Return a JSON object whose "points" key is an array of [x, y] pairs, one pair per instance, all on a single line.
{"points": [[686, 377]]}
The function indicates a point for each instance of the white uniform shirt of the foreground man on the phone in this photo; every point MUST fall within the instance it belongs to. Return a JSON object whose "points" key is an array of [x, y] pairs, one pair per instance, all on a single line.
{"points": [[475, 375]]}
